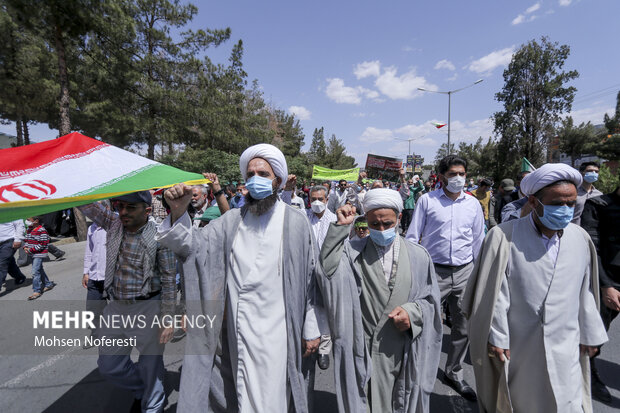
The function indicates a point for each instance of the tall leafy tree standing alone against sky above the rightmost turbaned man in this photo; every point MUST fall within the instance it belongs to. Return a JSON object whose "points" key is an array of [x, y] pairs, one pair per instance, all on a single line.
{"points": [[534, 96]]}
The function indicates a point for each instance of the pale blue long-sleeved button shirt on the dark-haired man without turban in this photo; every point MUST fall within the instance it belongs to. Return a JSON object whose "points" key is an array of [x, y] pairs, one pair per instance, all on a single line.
{"points": [[451, 231]]}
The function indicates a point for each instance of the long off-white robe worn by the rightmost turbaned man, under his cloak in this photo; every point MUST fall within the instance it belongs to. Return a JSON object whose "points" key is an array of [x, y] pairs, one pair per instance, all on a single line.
{"points": [[544, 310]]}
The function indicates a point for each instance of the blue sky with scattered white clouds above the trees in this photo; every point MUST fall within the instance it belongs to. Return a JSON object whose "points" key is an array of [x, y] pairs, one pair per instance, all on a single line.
{"points": [[354, 67]]}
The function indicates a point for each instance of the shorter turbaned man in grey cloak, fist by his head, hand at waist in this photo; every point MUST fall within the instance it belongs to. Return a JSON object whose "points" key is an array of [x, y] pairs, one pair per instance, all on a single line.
{"points": [[382, 303]]}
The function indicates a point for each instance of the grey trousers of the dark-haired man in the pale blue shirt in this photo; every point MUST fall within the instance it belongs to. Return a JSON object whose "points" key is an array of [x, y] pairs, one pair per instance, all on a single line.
{"points": [[452, 282]]}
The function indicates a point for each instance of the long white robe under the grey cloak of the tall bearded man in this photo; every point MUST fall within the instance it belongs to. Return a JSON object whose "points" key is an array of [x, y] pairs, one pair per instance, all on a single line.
{"points": [[256, 313]]}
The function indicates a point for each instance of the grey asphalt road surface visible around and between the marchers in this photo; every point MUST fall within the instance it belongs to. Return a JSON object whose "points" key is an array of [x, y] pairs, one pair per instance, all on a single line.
{"points": [[70, 382]]}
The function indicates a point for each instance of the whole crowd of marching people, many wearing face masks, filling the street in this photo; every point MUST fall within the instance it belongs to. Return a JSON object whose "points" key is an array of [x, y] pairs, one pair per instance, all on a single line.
{"points": [[365, 274]]}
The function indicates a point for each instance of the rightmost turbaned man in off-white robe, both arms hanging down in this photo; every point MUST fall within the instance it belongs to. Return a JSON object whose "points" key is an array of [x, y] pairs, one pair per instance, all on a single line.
{"points": [[533, 317]]}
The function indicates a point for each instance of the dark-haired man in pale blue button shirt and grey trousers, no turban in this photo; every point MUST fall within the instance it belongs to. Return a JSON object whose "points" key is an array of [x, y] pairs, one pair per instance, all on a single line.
{"points": [[450, 225]]}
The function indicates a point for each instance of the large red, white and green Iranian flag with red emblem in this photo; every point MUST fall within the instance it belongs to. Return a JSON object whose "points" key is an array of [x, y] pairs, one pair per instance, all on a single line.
{"points": [[75, 170]]}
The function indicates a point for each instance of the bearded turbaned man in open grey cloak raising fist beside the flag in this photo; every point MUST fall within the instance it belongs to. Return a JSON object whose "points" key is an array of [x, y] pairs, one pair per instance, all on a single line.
{"points": [[252, 271]]}
